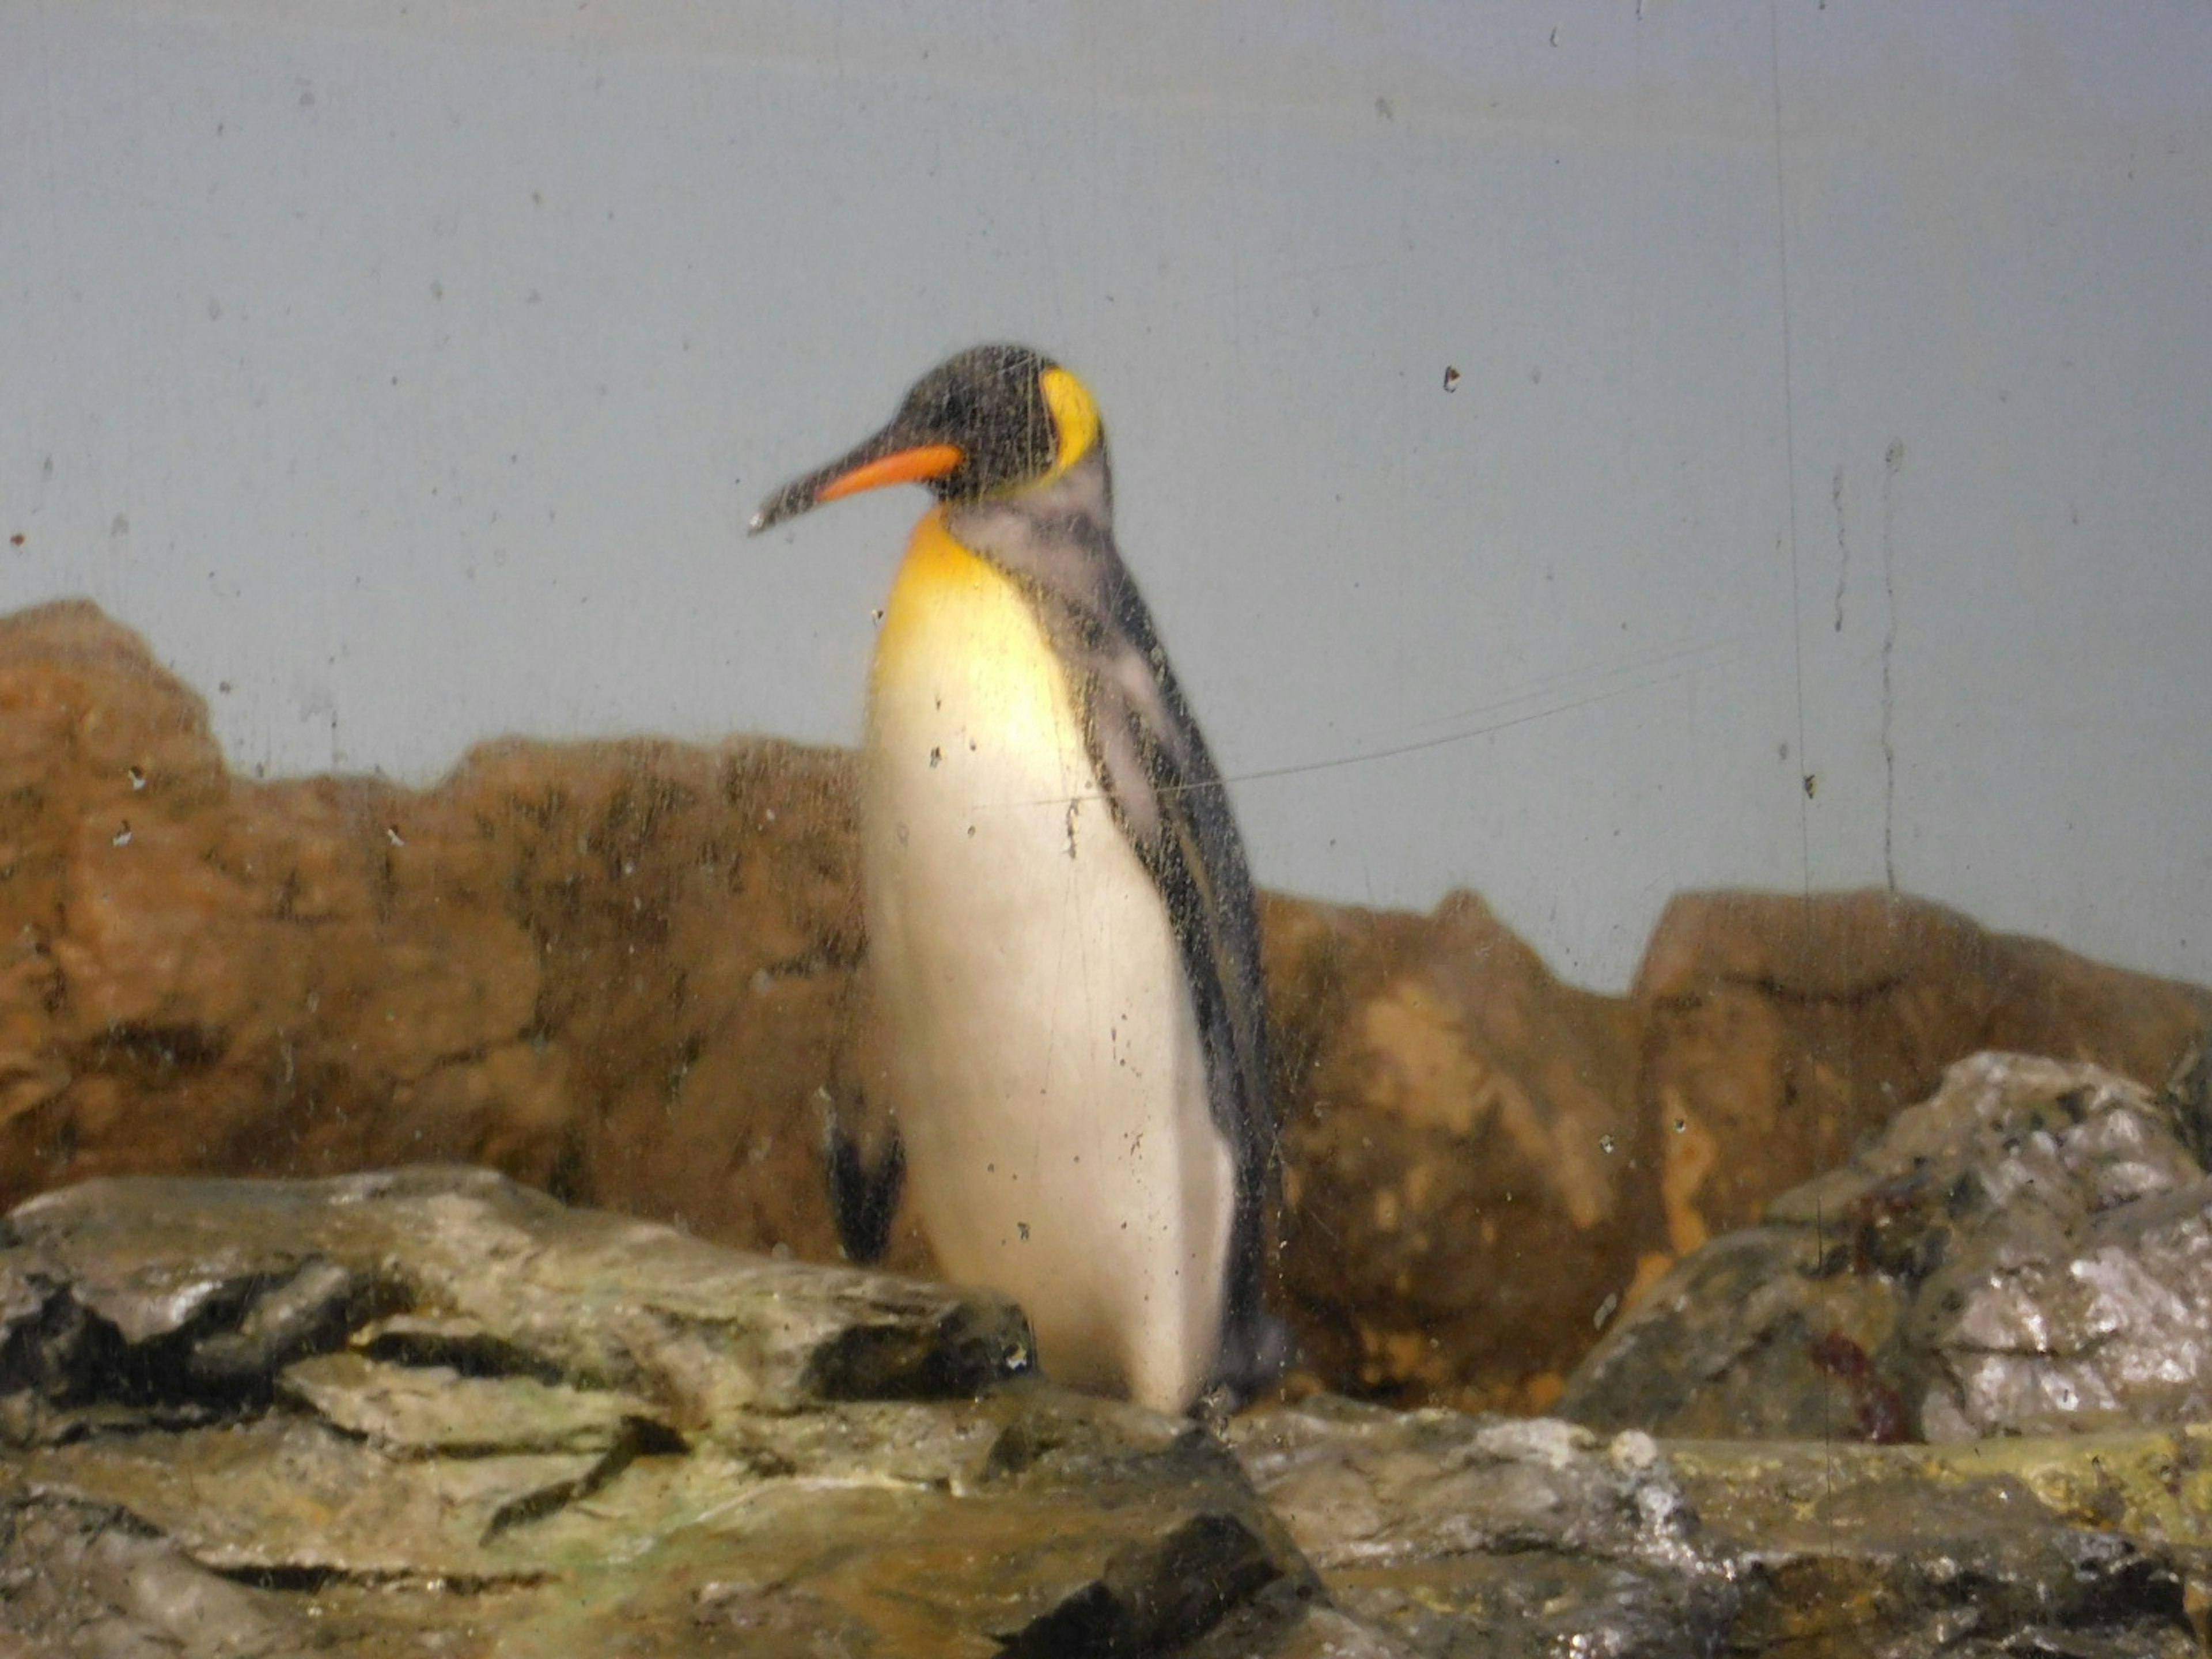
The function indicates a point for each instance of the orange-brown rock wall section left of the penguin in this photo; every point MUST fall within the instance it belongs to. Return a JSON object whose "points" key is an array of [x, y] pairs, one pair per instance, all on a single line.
{"points": [[614, 970]]}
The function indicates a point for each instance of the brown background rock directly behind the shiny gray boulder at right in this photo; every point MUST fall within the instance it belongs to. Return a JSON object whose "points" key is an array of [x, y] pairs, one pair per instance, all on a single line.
{"points": [[1782, 1032]]}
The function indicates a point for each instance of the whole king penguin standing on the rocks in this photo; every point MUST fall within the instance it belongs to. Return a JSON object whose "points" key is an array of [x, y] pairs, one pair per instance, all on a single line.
{"points": [[1063, 946]]}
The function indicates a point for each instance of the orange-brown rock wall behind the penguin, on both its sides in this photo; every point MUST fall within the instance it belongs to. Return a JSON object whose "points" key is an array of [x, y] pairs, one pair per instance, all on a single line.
{"points": [[625, 972]]}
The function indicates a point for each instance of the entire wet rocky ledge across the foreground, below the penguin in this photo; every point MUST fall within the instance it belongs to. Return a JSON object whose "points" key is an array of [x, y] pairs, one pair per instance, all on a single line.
{"points": [[435, 1412]]}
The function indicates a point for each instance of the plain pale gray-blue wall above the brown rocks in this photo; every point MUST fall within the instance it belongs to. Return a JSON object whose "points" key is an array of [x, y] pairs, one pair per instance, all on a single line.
{"points": [[1678, 444]]}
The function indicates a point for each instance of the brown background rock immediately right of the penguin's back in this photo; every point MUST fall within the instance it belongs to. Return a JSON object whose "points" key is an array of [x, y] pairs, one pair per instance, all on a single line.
{"points": [[1461, 1178]]}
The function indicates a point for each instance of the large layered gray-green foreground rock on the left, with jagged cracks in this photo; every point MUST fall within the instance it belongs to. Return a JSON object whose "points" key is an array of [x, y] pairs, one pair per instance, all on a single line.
{"points": [[421, 1408]]}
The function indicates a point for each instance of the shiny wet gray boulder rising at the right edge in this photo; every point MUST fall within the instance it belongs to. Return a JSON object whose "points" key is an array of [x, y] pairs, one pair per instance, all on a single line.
{"points": [[2025, 1253]]}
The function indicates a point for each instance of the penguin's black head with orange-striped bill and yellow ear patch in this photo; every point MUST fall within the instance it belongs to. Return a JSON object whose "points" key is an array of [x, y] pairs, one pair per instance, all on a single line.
{"points": [[990, 421]]}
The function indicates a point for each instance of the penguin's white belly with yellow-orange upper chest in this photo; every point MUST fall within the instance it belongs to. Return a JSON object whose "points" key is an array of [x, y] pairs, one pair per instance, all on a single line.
{"points": [[1036, 1030]]}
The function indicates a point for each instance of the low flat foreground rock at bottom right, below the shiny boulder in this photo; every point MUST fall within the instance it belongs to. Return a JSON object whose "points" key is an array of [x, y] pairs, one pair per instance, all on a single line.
{"points": [[1454, 1538]]}
